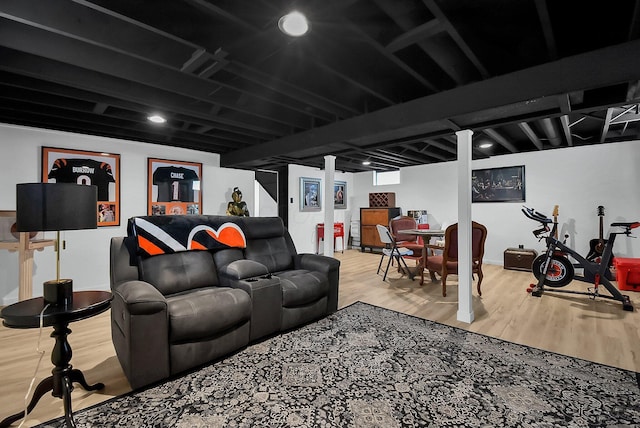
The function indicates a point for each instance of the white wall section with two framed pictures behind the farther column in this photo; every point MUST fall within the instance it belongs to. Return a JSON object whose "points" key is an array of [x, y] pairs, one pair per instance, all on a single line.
{"points": [[302, 225]]}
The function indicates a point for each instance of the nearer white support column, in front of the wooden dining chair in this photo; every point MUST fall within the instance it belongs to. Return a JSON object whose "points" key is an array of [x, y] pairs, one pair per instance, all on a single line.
{"points": [[465, 279]]}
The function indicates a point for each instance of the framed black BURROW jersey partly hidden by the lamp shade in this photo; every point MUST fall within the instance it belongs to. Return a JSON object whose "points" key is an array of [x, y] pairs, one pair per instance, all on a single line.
{"points": [[90, 168]]}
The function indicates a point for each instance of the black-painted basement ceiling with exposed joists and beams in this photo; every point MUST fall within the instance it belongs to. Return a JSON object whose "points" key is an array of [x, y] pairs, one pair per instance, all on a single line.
{"points": [[388, 81]]}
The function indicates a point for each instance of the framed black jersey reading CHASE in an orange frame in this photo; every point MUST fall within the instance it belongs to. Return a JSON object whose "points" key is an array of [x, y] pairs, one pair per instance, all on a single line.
{"points": [[174, 187]]}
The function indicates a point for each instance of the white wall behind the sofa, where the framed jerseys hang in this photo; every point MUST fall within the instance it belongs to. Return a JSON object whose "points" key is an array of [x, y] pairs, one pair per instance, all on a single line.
{"points": [[86, 258]]}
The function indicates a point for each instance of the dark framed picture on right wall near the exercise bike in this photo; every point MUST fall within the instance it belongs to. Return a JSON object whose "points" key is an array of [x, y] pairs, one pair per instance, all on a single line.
{"points": [[498, 184]]}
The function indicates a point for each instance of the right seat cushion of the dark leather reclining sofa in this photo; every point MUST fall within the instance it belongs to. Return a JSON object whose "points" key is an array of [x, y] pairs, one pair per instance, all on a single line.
{"points": [[301, 287]]}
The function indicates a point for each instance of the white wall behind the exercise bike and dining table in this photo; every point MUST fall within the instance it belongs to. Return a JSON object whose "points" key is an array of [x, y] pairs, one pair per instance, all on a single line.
{"points": [[578, 179]]}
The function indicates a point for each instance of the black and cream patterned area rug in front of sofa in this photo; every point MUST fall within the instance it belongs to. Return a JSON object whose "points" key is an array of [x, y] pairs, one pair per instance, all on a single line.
{"points": [[365, 366]]}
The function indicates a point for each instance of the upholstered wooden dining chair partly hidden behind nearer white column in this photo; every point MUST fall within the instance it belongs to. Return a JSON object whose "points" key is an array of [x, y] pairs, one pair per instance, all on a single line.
{"points": [[447, 263]]}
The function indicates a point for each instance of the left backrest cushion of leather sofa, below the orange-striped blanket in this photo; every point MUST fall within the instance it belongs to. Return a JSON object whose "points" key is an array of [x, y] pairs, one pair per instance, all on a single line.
{"points": [[178, 272]]}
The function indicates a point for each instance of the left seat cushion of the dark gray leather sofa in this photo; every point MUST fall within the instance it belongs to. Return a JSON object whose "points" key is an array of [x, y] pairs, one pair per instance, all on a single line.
{"points": [[206, 313]]}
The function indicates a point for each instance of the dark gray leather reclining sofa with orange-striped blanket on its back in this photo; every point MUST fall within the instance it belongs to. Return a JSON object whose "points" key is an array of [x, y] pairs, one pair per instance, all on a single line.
{"points": [[183, 299]]}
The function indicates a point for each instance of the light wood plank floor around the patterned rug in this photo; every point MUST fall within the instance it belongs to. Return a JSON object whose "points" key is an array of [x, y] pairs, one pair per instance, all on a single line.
{"points": [[596, 330]]}
